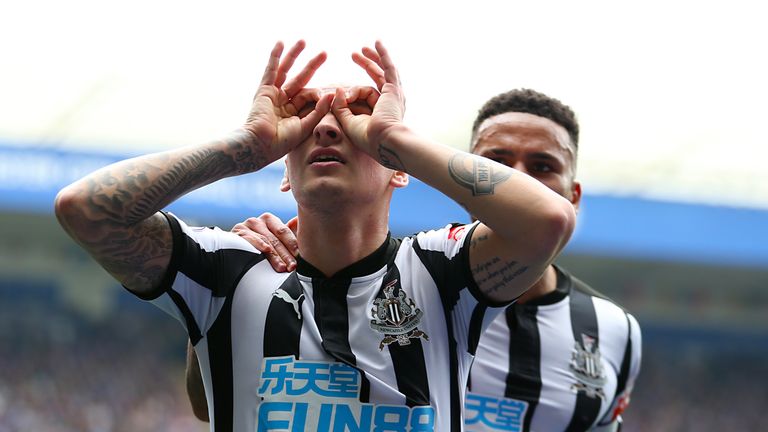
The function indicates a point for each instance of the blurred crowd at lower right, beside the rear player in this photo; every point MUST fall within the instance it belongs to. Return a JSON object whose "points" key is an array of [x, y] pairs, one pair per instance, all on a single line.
{"points": [[701, 386]]}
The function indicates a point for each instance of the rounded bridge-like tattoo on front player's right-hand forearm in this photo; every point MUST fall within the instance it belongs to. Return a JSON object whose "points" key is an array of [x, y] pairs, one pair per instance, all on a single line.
{"points": [[480, 178]]}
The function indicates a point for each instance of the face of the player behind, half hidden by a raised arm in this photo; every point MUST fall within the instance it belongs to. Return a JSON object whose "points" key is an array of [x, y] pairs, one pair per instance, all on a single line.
{"points": [[534, 145]]}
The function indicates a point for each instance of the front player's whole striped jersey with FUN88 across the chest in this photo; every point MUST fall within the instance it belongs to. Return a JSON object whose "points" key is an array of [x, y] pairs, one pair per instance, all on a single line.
{"points": [[383, 345]]}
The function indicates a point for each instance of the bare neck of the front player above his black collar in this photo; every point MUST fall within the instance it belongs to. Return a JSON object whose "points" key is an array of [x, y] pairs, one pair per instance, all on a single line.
{"points": [[331, 241]]}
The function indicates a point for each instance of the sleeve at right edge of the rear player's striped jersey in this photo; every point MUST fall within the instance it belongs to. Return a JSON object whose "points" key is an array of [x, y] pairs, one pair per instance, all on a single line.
{"points": [[628, 374]]}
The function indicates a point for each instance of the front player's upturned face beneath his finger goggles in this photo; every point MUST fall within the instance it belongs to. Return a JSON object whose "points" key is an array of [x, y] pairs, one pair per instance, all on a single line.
{"points": [[328, 170]]}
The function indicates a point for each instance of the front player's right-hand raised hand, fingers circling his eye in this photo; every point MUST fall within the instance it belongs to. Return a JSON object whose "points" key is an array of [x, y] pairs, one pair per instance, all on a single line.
{"points": [[370, 131]]}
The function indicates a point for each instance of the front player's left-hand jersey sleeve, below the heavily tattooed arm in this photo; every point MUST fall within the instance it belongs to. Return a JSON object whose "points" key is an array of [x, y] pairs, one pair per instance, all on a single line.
{"points": [[206, 266]]}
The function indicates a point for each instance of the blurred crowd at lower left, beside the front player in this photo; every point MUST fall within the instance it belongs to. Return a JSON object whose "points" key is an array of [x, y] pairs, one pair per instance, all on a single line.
{"points": [[62, 373]]}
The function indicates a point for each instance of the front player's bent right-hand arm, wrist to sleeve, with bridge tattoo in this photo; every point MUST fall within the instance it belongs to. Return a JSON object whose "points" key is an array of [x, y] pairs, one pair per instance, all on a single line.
{"points": [[524, 223]]}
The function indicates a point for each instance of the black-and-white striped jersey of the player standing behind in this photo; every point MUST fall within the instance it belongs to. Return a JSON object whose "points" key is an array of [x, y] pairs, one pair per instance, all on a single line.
{"points": [[566, 361]]}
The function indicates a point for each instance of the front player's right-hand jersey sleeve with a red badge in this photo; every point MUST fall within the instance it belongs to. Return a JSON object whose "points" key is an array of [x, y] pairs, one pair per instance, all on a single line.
{"points": [[445, 254]]}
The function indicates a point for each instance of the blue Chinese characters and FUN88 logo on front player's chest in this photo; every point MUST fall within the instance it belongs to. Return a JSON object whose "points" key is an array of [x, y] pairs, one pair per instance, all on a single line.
{"points": [[301, 395]]}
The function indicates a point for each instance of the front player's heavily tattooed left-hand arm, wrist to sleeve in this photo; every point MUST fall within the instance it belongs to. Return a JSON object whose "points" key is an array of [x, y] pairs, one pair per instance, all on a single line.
{"points": [[112, 212]]}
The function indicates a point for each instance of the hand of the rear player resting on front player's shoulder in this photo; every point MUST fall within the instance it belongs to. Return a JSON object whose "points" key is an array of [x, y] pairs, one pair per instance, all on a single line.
{"points": [[270, 236]]}
